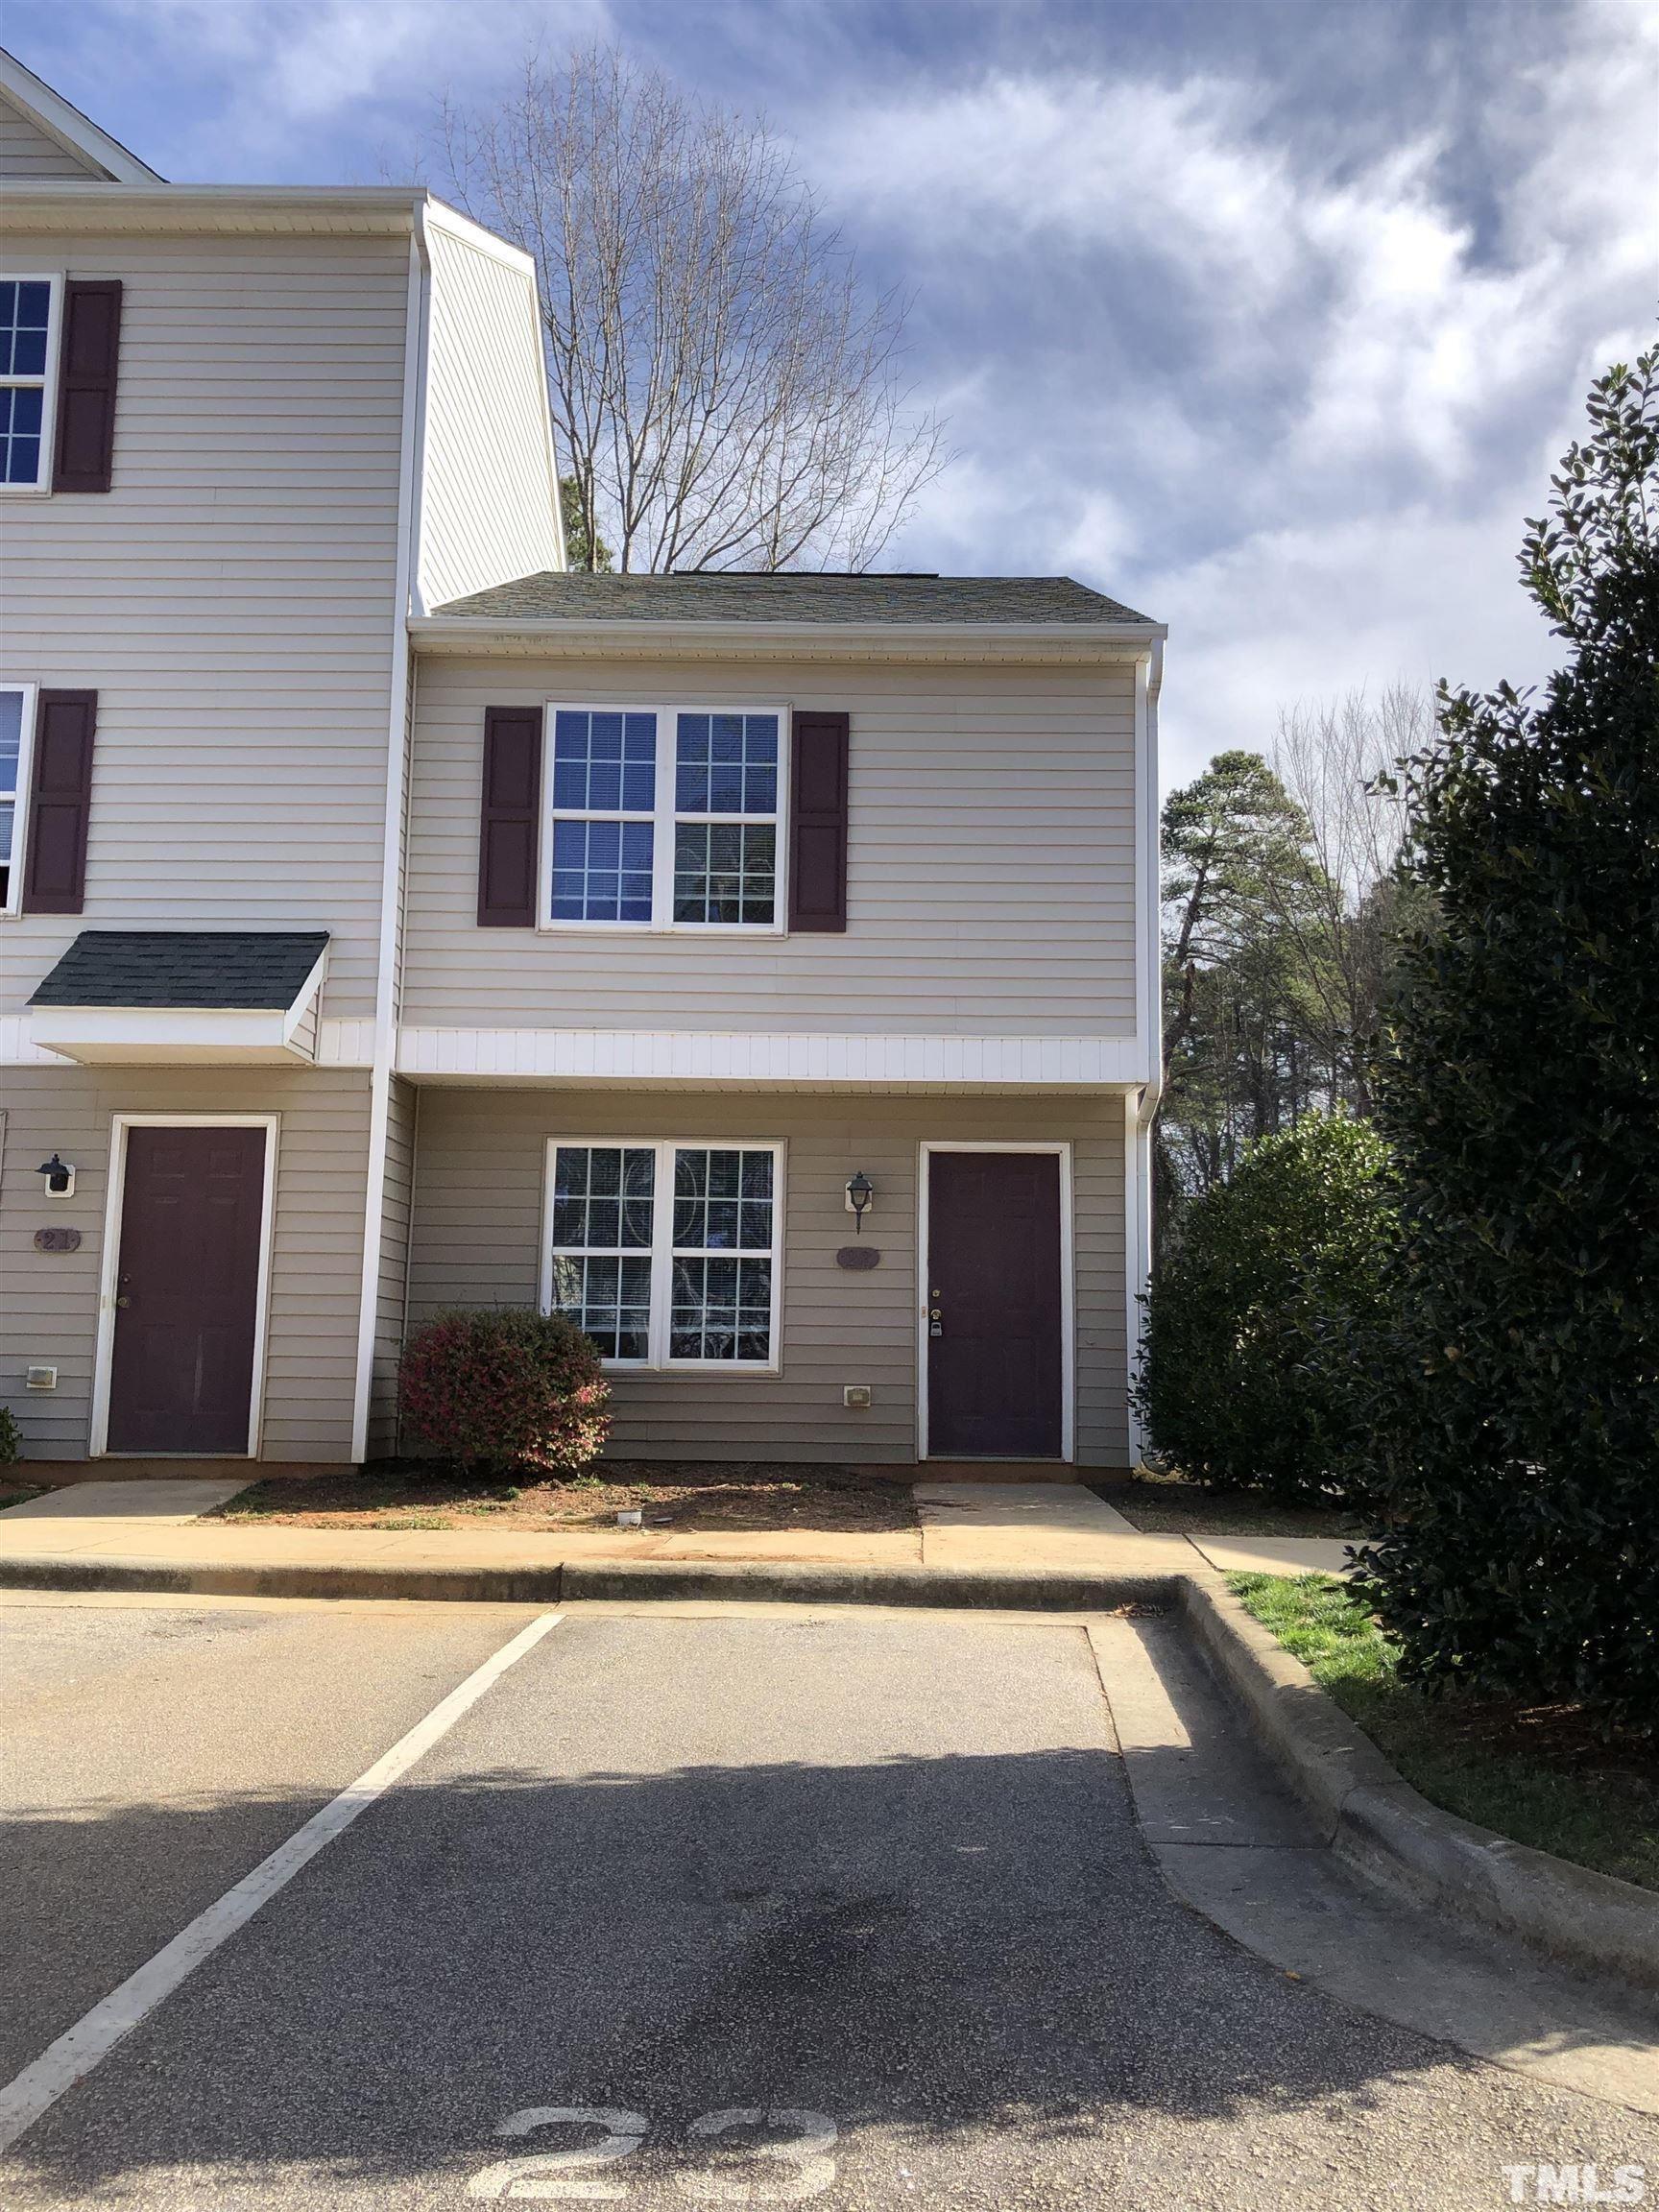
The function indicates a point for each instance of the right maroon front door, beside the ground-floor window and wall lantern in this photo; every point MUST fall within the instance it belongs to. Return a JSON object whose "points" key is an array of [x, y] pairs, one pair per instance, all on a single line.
{"points": [[994, 1315]]}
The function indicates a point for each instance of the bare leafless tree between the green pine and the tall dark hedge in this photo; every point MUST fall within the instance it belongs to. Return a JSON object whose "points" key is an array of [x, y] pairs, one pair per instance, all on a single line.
{"points": [[1335, 760]]}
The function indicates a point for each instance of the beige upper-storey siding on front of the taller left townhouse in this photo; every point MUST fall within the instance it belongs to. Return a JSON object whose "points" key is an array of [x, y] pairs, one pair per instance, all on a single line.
{"points": [[233, 598]]}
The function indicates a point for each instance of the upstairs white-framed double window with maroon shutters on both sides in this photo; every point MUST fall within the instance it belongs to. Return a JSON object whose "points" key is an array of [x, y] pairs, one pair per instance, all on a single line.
{"points": [[665, 817]]}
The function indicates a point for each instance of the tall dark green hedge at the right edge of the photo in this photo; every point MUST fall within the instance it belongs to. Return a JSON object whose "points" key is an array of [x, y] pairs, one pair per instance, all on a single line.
{"points": [[1514, 1406]]}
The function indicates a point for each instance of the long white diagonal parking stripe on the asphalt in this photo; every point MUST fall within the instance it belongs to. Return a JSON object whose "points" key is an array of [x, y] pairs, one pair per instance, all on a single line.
{"points": [[96, 2034]]}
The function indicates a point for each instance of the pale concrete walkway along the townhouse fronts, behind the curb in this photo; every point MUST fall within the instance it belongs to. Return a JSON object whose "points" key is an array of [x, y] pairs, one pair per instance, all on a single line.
{"points": [[963, 1525]]}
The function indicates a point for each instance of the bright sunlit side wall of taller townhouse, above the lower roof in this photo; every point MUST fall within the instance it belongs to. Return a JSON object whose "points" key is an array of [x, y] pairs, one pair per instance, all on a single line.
{"points": [[488, 508]]}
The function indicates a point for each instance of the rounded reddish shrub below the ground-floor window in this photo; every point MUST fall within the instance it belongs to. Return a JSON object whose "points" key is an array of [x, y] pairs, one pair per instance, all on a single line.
{"points": [[503, 1390]]}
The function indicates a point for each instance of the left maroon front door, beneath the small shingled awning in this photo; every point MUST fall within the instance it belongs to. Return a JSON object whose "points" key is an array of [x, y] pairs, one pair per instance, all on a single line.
{"points": [[187, 1291]]}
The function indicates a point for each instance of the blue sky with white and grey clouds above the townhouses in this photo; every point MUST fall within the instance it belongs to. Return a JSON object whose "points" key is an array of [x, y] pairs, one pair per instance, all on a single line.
{"points": [[1271, 320]]}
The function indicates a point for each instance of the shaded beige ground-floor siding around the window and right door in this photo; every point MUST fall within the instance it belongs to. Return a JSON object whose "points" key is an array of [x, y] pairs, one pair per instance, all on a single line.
{"points": [[479, 1227]]}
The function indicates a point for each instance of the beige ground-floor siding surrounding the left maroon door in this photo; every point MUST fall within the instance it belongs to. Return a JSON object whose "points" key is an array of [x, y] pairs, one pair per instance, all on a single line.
{"points": [[50, 1300]]}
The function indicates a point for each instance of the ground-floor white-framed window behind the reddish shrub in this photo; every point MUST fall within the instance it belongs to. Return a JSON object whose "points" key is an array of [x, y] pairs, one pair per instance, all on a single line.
{"points": [[667, 1251]]}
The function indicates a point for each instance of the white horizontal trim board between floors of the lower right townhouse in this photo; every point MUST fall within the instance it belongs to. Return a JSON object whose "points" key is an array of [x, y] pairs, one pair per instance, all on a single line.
{"points": [[625, 1056]]}
